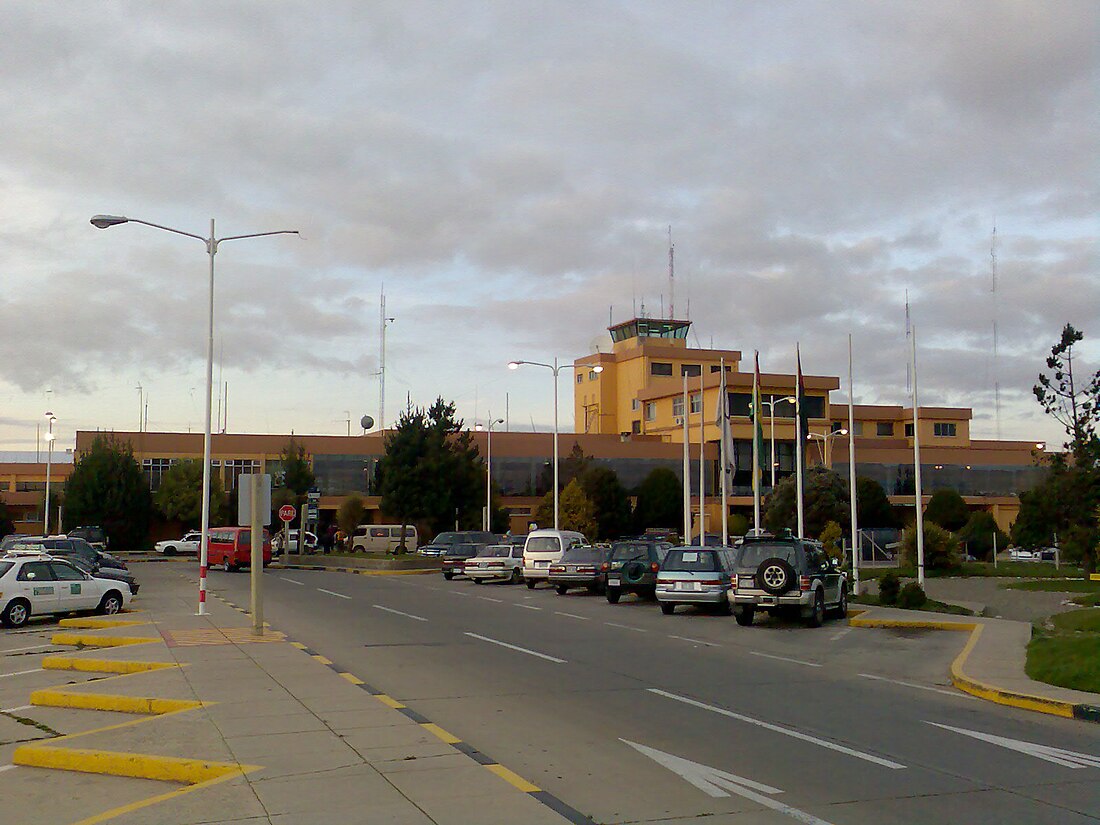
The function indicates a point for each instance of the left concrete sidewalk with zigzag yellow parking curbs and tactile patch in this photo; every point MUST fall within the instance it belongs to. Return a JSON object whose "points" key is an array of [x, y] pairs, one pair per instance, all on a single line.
{"points": [[216, 725]]}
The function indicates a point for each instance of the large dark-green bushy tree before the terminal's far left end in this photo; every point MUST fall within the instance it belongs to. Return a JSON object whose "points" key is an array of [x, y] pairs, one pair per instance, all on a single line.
{"points": [[108, 488]]}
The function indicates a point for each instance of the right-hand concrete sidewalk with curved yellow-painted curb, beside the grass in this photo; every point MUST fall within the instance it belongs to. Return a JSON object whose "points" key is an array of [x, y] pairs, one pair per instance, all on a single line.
{"points": [[992, 665]]}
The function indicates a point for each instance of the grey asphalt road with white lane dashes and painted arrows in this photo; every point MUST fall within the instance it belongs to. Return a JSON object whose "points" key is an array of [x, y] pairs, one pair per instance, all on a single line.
{"points": [[632, 717]]}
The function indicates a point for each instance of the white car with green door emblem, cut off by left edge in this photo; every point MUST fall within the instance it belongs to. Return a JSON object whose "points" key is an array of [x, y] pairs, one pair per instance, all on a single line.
{"points": [[34, 585]]}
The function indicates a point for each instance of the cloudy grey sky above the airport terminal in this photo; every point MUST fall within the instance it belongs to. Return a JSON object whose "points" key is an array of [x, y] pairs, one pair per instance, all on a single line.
{"points": [[509, 171]]}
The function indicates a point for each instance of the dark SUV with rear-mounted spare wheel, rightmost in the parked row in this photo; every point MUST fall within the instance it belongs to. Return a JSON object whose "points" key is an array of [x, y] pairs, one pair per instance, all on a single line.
{"points": [[780, 575]]}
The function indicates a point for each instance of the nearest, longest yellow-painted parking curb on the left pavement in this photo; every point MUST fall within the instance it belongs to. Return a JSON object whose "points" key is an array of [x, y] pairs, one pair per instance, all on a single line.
{"points": [[137, 766]]}
